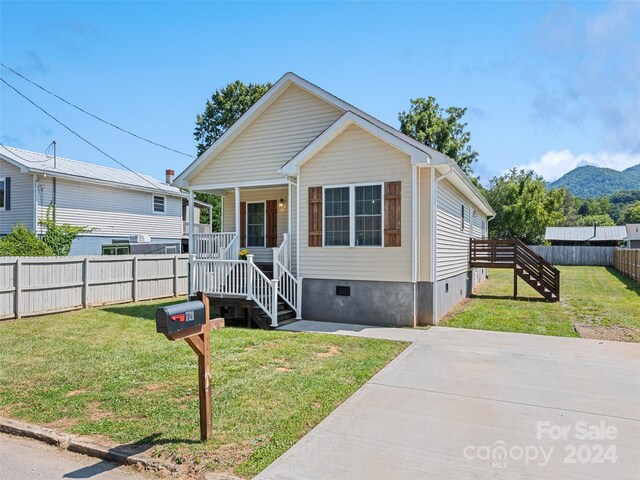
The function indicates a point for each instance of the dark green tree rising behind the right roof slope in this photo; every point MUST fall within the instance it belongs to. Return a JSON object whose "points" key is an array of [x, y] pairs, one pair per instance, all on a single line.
{"points": [[440, 129]]}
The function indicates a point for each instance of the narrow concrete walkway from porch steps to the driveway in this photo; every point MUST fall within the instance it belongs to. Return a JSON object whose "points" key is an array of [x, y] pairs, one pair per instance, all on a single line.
{"points": [[366, 331]]}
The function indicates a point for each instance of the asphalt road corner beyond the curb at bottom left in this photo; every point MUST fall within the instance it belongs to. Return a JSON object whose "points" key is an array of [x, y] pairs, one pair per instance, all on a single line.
{"points": [[25, 459]]}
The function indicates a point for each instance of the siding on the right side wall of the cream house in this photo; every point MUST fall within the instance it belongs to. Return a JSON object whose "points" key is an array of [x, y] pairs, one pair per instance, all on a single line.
{"points": [[452, 241]]}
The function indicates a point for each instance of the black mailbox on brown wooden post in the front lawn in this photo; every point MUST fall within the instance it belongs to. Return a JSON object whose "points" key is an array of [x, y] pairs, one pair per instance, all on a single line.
{"points": [[190, 321]]}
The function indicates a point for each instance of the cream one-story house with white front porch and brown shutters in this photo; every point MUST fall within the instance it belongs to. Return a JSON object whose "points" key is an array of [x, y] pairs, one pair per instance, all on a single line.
{"points": [[361, 223]]}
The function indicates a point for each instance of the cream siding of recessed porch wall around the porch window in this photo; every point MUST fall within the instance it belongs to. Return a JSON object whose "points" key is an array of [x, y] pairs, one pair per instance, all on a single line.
{"points": [[261, 254]]}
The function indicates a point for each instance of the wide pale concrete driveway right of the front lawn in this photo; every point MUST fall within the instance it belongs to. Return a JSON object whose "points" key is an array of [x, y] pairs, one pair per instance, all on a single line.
{"points": [[468, 404]]}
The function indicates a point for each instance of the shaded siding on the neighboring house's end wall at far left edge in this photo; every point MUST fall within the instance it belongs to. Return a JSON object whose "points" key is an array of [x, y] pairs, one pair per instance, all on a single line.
{"points": [[21, 211]]}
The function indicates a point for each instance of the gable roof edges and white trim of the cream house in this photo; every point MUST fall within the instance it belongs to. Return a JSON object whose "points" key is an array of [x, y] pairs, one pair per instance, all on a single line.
{"points": [[372, 124]]}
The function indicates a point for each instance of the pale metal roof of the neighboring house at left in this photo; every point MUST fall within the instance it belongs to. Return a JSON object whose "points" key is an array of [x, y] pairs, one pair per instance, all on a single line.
{"points": [[34, 162]]}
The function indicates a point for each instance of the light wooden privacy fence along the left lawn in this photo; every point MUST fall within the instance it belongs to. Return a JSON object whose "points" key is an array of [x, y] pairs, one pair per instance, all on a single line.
{"points": [[42, 285]]}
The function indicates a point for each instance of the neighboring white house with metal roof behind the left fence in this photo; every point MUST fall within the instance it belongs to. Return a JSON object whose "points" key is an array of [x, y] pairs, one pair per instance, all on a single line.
{"points": [[133, 213]]}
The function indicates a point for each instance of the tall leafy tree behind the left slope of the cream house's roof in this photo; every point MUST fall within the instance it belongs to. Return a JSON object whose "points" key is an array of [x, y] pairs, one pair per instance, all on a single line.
{"points": [[222, 110]]}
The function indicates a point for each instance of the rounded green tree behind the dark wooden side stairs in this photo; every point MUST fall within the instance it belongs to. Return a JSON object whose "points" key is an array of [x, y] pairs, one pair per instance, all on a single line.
{"points": [[524, 207]]}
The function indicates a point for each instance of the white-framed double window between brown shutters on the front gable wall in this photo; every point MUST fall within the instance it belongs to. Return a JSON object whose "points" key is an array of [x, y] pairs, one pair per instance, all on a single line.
{"points": [[353, 216]]}
